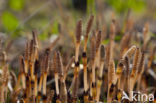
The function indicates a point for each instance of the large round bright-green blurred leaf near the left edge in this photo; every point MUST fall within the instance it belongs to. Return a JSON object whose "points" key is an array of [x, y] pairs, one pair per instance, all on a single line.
{"points": [[9, 21]]}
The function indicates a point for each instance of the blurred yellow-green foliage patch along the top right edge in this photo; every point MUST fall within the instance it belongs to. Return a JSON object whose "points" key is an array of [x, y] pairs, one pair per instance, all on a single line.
{"points": [[121, 6]]}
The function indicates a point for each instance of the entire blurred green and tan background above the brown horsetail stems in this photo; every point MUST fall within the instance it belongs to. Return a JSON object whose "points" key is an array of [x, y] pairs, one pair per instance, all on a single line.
{"points": [[17, 17]]}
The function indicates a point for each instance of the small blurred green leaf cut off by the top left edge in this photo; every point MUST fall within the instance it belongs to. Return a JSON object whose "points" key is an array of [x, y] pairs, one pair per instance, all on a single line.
{"points": [[16, 5]]}
